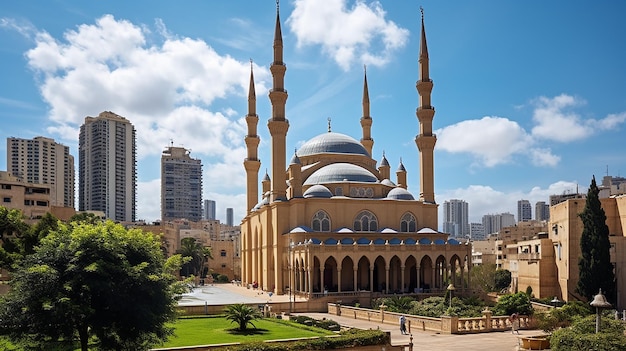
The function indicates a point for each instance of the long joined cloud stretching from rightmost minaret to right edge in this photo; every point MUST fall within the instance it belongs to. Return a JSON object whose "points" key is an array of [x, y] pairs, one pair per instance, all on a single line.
{"points": [[498, 140]]}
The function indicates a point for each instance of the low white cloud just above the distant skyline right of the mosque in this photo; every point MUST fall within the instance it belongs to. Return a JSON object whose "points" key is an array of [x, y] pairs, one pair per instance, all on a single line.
{"points": [[484, 200]]}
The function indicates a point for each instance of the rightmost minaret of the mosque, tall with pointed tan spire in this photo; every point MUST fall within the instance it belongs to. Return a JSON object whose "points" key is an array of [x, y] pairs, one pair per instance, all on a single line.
{"points": [[425, 140]]}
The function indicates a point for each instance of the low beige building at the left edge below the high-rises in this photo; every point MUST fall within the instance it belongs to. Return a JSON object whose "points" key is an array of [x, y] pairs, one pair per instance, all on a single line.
{"points": [[32, 199]]}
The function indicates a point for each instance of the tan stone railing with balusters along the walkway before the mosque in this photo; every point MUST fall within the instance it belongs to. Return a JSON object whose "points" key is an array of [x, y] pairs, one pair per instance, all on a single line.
{"points": [[444, 324]]}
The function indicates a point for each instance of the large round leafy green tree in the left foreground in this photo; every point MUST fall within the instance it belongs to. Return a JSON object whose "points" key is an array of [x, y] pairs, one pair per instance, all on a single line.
{"points": [[97, 281]]}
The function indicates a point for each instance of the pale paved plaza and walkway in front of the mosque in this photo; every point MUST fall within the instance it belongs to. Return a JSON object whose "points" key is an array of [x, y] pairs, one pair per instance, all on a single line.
{"points": [[422, 340]]}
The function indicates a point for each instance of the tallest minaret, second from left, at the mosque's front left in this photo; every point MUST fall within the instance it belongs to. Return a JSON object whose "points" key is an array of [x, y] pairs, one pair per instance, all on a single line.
{"points": [[278, 124]]}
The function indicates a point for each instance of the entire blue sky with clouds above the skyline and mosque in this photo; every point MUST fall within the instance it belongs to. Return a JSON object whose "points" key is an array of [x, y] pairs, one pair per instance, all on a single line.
{"points": [[530, 96]]}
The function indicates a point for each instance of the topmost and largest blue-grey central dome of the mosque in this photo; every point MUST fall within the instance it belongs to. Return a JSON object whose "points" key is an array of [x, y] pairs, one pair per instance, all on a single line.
{"points": [[332, 143]]}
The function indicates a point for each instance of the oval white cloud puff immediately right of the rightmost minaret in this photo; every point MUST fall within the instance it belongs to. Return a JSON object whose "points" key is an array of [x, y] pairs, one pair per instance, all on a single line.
{"points": [[493, 140]]}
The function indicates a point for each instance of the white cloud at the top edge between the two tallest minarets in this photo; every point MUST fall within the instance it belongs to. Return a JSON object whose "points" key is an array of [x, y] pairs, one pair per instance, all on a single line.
{"points": [[360, 33]]}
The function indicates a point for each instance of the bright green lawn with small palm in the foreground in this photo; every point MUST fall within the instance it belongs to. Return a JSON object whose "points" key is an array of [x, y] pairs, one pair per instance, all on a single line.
{"points": [[218, 330]]}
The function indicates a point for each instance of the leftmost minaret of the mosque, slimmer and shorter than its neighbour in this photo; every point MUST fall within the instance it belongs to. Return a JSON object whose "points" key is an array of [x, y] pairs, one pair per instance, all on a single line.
{"points": [[252, 163]]}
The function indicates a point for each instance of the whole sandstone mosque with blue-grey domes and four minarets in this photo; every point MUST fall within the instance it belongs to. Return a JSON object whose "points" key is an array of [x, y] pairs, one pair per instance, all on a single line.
{"points": [[332, 221]]}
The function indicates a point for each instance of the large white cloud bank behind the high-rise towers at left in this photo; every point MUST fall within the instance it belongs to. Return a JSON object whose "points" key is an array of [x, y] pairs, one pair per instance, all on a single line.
{"points": [[168, 86]]}
